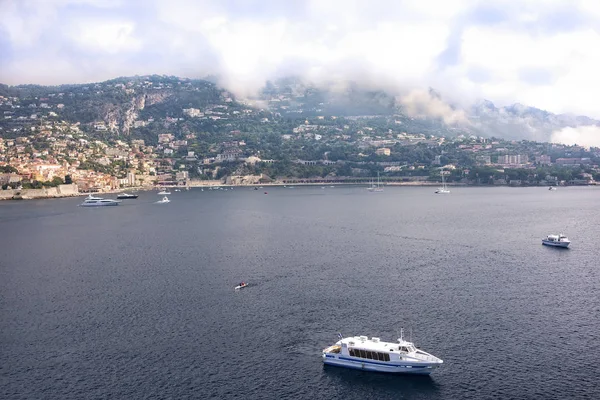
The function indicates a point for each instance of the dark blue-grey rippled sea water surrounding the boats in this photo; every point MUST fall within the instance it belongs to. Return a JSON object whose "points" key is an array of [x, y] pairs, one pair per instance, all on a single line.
{"points": [[138, 301]]}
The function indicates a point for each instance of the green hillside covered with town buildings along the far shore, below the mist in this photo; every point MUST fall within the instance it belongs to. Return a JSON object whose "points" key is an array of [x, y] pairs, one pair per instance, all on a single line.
{"points": [[146, 132]]}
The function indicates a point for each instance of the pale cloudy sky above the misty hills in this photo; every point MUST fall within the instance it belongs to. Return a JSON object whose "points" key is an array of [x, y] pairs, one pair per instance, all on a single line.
{"points": [[542, 53]]}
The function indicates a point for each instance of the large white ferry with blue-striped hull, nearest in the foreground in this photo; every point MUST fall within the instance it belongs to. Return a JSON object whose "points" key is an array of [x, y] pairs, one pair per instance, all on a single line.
{"points": [[360, 352]]}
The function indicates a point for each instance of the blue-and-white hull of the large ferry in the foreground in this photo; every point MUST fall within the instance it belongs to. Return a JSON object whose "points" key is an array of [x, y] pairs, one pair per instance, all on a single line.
{"points": [[375, 366]]}
